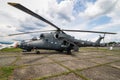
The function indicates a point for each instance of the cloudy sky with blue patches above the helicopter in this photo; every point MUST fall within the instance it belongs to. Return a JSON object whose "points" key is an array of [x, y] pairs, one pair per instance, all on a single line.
{"points": [[96, 15]]}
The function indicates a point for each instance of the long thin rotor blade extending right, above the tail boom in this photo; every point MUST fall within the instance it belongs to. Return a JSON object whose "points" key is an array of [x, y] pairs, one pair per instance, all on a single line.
{"points": [[88, 31]]}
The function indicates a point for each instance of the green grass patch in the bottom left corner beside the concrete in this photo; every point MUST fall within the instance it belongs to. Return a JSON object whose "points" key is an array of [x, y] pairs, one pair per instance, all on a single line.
{"points": [[5, 72]]}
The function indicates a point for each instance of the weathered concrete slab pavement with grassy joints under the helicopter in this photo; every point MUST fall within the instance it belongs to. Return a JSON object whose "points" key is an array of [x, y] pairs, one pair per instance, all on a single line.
{"points": [[51, 65]]}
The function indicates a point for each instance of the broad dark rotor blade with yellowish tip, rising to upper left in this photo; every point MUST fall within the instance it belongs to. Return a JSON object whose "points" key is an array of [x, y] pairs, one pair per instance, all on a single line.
{"points": [[21, 7]]}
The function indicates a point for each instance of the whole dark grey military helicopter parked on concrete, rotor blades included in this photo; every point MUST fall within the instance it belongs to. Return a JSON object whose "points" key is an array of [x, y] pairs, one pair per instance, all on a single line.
{"points": [[56, 40]]}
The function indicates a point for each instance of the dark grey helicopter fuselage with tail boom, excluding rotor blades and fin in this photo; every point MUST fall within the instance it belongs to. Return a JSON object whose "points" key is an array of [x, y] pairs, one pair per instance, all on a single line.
{"points": [[54, 41]]}
